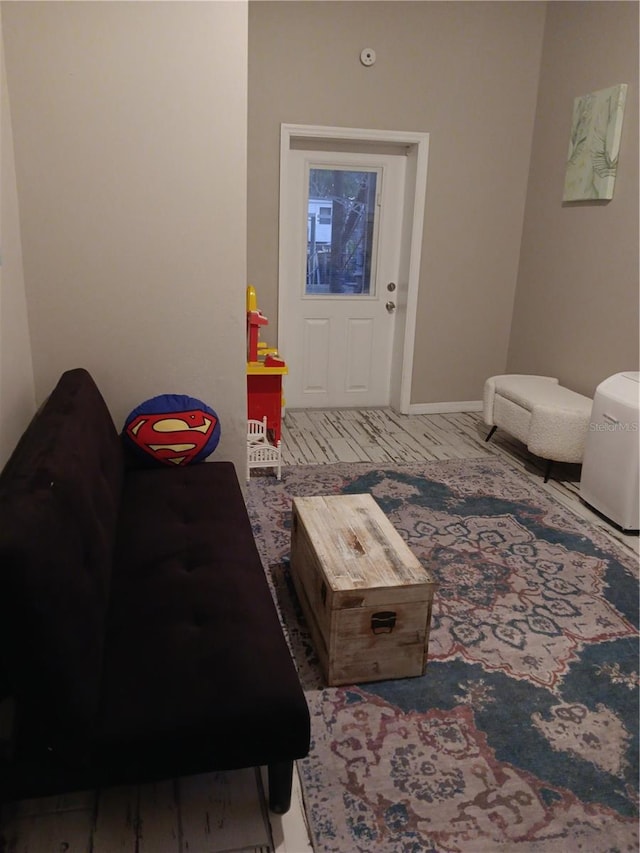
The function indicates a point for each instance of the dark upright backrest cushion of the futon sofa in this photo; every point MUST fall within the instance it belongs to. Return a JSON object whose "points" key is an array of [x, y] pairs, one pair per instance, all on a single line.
{"points": [[59, 501]]}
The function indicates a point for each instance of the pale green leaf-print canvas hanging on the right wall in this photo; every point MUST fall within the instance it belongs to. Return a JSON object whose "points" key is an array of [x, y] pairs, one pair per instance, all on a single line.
{"points": [[594, 144]]}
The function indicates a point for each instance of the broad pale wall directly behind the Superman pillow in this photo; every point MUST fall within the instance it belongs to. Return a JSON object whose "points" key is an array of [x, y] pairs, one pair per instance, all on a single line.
{"points": [[129, 127]]}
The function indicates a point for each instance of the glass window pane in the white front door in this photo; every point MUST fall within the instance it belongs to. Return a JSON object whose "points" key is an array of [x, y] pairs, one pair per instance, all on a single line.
{"points": [[341, 219]]}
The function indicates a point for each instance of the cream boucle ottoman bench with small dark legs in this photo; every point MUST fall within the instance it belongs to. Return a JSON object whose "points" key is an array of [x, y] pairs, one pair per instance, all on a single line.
{"points": [[551, 420]]}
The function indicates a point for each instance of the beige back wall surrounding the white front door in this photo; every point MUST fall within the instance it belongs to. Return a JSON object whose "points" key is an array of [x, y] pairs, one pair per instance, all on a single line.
{"points": [[466, 73]]}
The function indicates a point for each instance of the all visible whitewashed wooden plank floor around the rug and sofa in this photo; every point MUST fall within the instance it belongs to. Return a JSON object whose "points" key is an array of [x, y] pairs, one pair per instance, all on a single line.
{"points": [[217, 812]]}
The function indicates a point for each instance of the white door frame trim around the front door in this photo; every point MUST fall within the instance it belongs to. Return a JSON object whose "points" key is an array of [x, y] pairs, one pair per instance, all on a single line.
{"points": [[416, 148]]}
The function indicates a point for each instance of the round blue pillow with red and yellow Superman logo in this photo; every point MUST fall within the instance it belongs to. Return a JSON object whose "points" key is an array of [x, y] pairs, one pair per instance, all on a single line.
{"points": [[173, 429]]}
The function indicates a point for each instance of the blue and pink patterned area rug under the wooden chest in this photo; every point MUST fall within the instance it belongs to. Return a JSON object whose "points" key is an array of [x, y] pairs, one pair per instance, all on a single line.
{"points": [[523, 733]]}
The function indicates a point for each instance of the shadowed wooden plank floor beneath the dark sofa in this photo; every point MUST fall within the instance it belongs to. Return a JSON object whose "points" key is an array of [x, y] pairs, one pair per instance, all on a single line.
{"points": [[209, 813]]}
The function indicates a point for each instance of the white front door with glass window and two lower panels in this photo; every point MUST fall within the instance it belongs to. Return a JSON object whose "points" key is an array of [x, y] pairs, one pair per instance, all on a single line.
{"points": [[341, 236]]}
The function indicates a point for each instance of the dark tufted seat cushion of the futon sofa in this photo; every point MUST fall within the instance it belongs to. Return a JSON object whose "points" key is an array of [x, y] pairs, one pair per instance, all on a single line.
{"points": [[192, 624]]}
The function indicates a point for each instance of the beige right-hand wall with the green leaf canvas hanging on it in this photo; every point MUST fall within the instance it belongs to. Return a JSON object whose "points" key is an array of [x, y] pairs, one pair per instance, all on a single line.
{"points": [[576, 307]]}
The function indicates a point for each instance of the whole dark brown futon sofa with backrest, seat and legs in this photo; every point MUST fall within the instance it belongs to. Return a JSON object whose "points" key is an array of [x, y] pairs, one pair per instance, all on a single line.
{"points": [[138, 636]]}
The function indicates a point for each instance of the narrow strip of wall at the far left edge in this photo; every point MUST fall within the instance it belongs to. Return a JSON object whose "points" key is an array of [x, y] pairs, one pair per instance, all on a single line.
{"points": [[17, 395]]}
